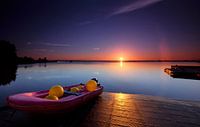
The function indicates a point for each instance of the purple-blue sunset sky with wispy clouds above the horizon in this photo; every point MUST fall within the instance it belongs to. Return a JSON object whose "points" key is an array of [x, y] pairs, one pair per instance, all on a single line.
{"points": [[102, 29]]}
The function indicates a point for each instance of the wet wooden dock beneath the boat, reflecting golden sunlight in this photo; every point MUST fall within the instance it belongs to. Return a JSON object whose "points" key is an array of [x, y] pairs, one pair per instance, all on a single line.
{"points": [[114, 110]]}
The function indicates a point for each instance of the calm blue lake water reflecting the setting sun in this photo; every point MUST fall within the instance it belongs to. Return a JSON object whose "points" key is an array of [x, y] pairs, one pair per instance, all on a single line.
{"points": [[128, 77]]}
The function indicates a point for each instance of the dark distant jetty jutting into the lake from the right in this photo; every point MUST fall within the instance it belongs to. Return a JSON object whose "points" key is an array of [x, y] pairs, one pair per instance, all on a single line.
{"points": [[187, 72]]}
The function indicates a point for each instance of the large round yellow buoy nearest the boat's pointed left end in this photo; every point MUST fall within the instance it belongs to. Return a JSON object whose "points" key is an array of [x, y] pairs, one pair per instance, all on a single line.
{"points": [[56, 91]]}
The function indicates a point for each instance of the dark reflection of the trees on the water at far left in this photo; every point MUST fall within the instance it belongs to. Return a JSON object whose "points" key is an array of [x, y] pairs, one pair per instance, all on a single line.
{"points": [[8, 74]]}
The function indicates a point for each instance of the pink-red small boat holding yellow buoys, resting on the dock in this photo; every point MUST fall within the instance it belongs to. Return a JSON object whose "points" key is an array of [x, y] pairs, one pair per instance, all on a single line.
{"points": [[35, 101]]}
